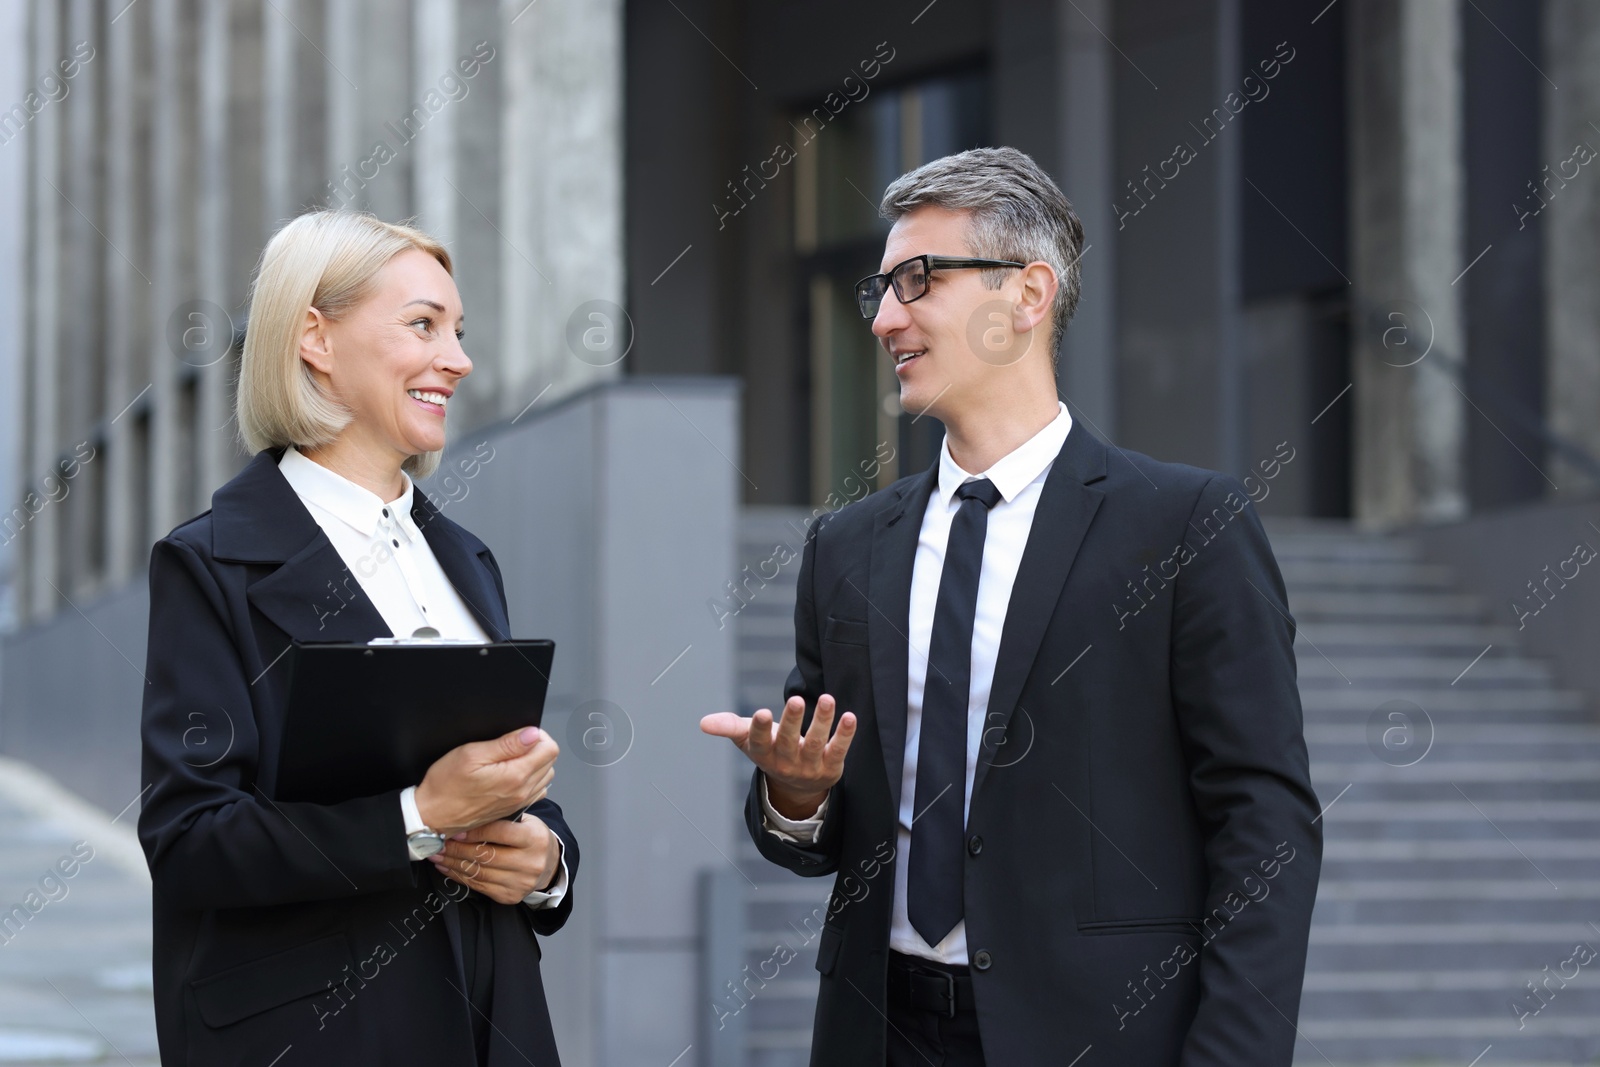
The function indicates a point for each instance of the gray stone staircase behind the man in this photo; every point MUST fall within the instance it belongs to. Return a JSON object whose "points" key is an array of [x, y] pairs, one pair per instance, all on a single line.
{"points": [[1462, 793]]}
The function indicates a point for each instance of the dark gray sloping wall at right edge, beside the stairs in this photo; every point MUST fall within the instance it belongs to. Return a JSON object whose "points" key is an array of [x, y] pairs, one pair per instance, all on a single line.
{"points": [[1500, 554]]}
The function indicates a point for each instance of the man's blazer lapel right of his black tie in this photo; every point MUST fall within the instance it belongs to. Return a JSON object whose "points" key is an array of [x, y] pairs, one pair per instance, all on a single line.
{"points": [[1066, 508]]}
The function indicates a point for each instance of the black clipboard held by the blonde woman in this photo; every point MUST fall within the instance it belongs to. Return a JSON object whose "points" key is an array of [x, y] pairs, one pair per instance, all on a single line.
{"points": [[367, 719]]}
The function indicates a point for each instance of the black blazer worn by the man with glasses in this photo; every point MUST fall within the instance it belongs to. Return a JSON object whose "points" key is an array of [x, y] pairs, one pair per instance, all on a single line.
{"points": [[1143, 841]]}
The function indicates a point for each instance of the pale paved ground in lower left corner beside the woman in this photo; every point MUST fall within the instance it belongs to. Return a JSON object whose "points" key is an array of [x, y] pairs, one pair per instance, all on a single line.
{"points": [[74, 949]]}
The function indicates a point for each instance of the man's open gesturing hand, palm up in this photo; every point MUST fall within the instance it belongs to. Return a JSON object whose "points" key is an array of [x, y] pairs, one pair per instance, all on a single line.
{"points": [[801, 769]]}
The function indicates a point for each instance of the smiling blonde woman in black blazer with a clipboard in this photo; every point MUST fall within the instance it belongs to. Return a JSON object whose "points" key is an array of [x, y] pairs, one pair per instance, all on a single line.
{"points": [[382, 930]]}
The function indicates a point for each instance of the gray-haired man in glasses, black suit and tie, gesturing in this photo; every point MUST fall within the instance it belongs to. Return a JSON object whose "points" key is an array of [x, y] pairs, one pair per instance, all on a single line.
{"points": [[1068, 801]]}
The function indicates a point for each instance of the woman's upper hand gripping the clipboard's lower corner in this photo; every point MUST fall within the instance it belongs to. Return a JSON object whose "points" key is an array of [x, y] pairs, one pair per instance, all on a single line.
{"points": [[487, 780]]}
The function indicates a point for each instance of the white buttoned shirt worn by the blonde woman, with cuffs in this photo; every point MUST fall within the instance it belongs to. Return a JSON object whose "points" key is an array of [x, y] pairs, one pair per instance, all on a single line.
{"points": [[394, 565]]}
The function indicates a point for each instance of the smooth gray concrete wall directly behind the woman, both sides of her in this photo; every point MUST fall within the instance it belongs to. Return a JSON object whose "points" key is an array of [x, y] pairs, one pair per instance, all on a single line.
{"points": [[614, 519]]}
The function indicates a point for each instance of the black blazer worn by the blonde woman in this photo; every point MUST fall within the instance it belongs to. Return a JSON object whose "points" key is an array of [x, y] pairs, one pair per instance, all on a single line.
{"points": [[292, 924]]}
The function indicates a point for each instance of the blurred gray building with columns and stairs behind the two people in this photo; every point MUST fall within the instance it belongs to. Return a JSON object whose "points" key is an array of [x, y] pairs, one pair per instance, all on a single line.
{"points": [[1364, 234]]}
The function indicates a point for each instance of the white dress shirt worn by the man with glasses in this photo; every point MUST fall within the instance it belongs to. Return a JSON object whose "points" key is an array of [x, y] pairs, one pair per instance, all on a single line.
{"points": [[1020, 478]]}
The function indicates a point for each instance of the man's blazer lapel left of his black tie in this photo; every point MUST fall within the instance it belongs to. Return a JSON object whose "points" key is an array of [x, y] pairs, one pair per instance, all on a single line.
{"points": [[889, 617]]}
